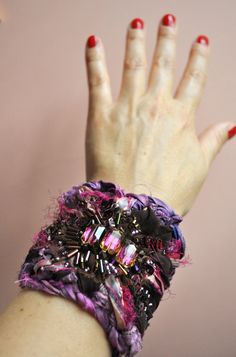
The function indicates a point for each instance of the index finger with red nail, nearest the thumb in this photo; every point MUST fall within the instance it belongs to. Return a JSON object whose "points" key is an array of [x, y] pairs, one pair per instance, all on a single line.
{"points": [[190, 89]]}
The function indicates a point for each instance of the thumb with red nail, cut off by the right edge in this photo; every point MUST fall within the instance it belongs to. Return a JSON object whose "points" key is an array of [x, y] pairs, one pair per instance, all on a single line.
{"points": [[214, 137]]}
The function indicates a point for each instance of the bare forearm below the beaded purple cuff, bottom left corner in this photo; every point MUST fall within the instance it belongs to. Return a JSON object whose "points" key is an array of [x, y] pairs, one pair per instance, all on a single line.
{"points": [[37, 324]]}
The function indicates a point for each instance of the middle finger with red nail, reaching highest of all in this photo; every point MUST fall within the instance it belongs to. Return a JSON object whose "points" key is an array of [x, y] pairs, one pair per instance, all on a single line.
{"points": [[163, 64]]}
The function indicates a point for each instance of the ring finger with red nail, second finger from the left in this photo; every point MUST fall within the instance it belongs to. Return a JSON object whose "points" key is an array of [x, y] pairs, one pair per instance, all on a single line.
{"points": [[133, 84]]}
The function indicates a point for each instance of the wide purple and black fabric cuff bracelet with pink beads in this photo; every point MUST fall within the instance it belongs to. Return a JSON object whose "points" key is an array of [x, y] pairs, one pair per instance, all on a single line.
{"points": [[111, 252]]}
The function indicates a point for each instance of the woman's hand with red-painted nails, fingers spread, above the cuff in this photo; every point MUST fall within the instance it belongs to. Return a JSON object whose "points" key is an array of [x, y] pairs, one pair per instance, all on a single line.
{"points": [[146, 141]]}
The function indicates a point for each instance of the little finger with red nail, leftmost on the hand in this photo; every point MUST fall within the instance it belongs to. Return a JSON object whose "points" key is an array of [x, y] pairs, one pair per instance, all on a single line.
{"points": [[100, 96]]}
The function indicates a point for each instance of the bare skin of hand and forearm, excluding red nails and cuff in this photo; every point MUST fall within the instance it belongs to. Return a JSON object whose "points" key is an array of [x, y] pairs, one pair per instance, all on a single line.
{"points": [[146, 142]]}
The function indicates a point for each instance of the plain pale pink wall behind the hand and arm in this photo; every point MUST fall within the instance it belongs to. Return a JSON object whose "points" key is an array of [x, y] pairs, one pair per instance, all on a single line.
{"points": [[43, 109]]}
